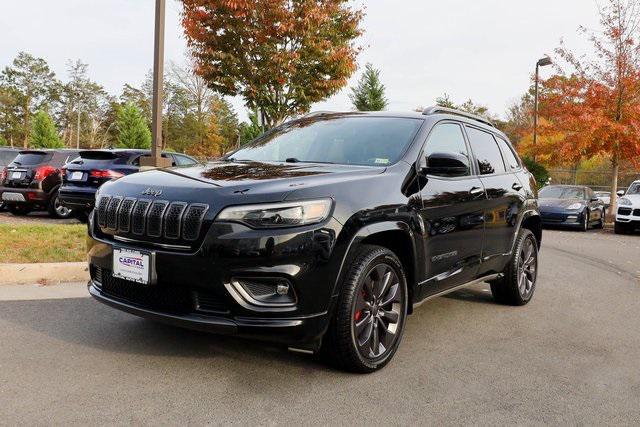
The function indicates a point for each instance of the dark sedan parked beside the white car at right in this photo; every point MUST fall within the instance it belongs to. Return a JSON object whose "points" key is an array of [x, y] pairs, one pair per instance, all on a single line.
{"points": [[574, 206]]}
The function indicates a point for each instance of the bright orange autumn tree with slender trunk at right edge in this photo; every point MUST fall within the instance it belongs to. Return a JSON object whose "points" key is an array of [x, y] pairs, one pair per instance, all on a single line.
{"points": [[596, 108]]}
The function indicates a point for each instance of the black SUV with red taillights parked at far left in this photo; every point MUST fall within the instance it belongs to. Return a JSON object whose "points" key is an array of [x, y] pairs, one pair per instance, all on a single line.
{"points": [[32, 180]]}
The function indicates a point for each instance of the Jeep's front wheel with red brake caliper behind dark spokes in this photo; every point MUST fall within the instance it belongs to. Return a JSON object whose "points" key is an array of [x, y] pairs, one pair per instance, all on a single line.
{"points": [[368, 324]]}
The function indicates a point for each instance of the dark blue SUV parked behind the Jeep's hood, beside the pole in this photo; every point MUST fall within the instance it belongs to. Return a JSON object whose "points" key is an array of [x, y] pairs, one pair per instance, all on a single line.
{"points": [[85, 174]]}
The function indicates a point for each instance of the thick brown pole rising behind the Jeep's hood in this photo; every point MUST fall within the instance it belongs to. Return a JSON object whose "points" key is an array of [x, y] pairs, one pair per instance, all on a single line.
{"points": [[156, 159]]}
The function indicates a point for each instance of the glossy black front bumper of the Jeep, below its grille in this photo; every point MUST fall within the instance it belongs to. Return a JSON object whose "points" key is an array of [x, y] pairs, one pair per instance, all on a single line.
{"points": [[192, 287]]}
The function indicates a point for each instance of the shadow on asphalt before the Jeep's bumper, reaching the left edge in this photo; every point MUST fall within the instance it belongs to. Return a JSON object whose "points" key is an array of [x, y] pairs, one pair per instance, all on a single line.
{"points": [[85, 322]]}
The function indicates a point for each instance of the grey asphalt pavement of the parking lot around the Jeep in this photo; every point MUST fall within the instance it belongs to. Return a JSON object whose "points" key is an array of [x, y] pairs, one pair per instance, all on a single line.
{"points": [[570, 356]]}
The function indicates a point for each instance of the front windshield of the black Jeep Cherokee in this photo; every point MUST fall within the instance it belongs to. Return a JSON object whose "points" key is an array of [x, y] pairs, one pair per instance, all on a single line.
{"points": [[373, 141]]}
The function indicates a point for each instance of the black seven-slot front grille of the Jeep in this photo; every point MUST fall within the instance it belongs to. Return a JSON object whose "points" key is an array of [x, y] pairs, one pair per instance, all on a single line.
{"points": [[155, 219]]}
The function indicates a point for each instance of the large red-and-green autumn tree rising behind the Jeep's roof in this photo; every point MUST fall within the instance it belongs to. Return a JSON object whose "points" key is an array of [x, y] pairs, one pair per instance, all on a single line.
{"points": [[281, 56]]}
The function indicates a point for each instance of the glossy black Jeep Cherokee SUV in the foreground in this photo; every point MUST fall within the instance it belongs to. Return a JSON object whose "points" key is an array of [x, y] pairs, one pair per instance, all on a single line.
{"points": [[324, 233]]}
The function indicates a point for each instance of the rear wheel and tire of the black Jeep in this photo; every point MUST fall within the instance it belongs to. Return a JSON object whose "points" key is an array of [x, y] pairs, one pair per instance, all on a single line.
{"points": [[518, 284]]}
